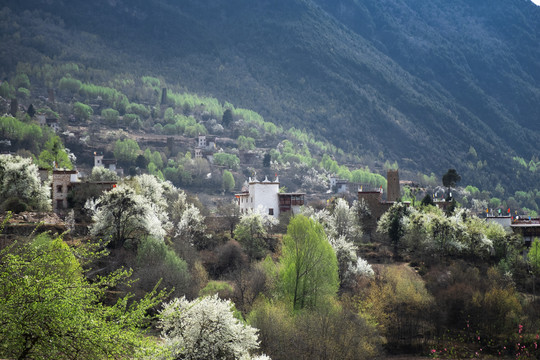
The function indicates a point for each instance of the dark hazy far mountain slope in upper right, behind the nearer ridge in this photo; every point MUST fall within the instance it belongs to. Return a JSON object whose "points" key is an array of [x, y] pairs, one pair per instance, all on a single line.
{"points": [[484, 54]]}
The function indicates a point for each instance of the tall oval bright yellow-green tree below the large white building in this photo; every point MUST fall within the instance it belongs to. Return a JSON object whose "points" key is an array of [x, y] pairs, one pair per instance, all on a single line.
{"points": [[309, 265]]}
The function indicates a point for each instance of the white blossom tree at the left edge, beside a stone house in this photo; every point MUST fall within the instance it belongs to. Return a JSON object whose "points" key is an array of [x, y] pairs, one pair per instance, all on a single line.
{"points": [[19, 180]]}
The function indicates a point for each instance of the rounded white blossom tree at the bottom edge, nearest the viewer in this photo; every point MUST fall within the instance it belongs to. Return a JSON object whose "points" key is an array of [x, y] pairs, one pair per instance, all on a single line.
{"points": [[206, 329]]}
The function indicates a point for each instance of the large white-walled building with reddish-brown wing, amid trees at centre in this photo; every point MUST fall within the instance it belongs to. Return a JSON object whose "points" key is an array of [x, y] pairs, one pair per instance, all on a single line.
{"points": [[264, 197]]}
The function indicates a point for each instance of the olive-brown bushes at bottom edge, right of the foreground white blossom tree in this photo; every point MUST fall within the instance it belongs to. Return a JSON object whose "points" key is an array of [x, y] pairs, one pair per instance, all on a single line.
{"points": [[330, 332]]}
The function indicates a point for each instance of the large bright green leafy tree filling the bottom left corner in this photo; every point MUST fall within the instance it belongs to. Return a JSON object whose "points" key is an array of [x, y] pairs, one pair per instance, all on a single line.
{"points": [[50, 310]]}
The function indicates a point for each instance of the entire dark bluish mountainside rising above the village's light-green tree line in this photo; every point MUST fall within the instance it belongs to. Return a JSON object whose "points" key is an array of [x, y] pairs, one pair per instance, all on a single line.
{"points": [[419, 82]]}
